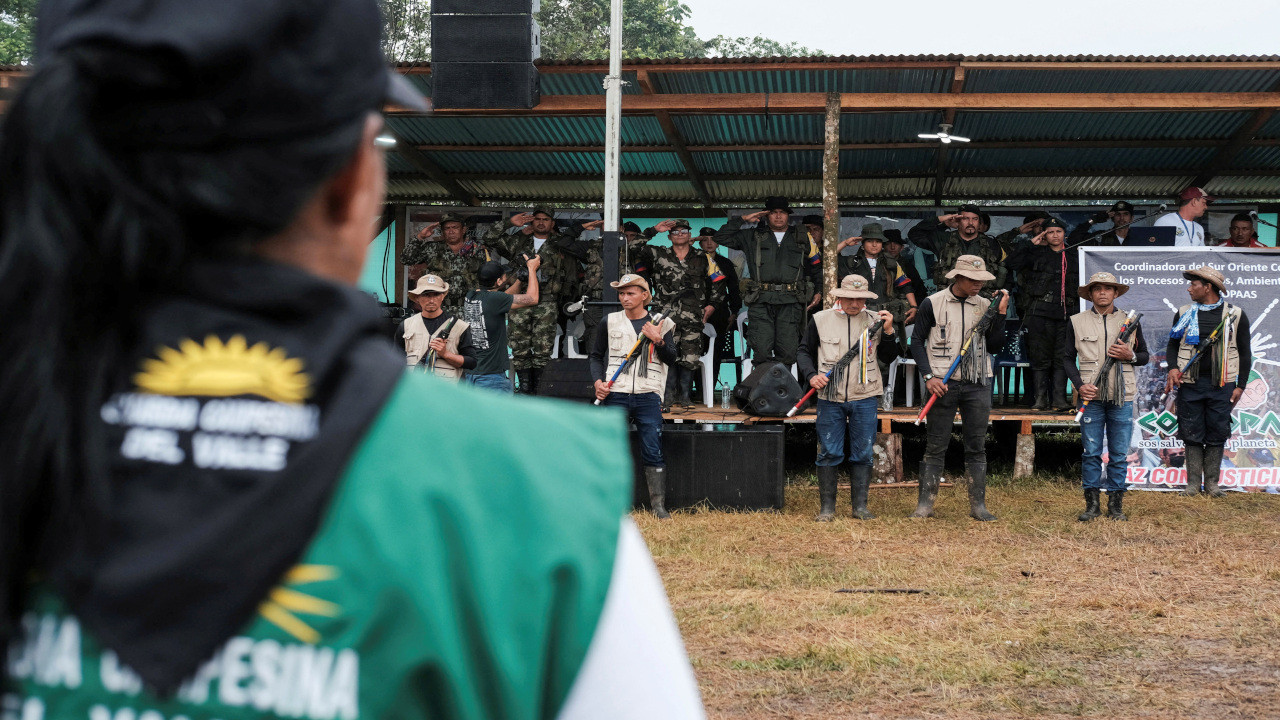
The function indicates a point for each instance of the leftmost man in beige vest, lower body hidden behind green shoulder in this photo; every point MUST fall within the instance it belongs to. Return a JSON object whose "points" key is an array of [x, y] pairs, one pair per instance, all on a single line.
{"points": [[436, 340]]}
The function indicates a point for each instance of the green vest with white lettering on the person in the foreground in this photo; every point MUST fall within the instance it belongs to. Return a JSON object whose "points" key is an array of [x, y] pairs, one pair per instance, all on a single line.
{"points": [[460, 572]]}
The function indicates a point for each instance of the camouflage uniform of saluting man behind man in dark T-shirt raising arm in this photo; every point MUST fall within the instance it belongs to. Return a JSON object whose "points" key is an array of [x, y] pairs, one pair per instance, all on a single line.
{"points": [[532, 331]]}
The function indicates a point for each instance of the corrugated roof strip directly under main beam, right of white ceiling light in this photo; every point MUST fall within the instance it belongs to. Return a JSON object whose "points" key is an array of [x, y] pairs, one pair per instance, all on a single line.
{"points": [[1098, 126]]}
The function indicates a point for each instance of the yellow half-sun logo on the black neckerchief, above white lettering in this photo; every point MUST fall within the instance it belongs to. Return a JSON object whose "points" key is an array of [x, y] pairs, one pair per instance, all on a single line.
{"points": [[227, 370]]}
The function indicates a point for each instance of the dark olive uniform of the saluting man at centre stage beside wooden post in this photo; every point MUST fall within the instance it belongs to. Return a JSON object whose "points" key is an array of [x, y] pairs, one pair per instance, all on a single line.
{"points": [[778, 317]]}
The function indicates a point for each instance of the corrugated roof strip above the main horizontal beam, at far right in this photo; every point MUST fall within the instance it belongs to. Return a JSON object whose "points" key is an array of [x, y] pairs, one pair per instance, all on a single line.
{"points": [[1119, 81]]}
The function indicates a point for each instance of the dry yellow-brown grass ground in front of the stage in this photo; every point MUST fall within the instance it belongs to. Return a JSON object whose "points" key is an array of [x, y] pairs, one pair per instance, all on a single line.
{"points": [[1174, 614]]}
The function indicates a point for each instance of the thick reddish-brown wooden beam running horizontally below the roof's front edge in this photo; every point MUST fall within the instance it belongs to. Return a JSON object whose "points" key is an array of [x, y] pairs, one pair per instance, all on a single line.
{"points": [[815, 103]]}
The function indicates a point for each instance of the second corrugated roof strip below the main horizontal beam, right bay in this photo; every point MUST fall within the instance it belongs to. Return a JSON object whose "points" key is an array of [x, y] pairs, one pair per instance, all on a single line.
{"points": [[1078, 160]]}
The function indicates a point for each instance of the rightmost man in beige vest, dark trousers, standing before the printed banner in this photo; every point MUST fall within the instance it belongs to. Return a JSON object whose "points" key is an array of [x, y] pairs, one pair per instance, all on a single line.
{"points": [[1210, 388]]}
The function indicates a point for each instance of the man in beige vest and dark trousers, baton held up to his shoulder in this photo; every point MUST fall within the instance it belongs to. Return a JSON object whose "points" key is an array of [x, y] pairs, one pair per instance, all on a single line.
{"points": [[944, 322]]}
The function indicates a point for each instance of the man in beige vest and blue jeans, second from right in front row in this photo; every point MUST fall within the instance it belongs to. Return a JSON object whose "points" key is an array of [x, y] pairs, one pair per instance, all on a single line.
{"points": [[1092, 338]]}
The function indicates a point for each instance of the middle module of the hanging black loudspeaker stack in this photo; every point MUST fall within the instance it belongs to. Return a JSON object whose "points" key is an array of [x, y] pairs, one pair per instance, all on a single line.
{"points": [[484, 39]]}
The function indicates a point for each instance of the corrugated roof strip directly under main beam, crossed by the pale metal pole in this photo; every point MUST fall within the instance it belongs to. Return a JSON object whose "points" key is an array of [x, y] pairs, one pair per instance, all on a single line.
{"points": [[525, 130]]}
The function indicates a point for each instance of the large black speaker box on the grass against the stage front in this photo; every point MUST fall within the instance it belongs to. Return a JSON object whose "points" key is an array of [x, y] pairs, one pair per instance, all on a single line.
{"points": [[739, 470]]}
